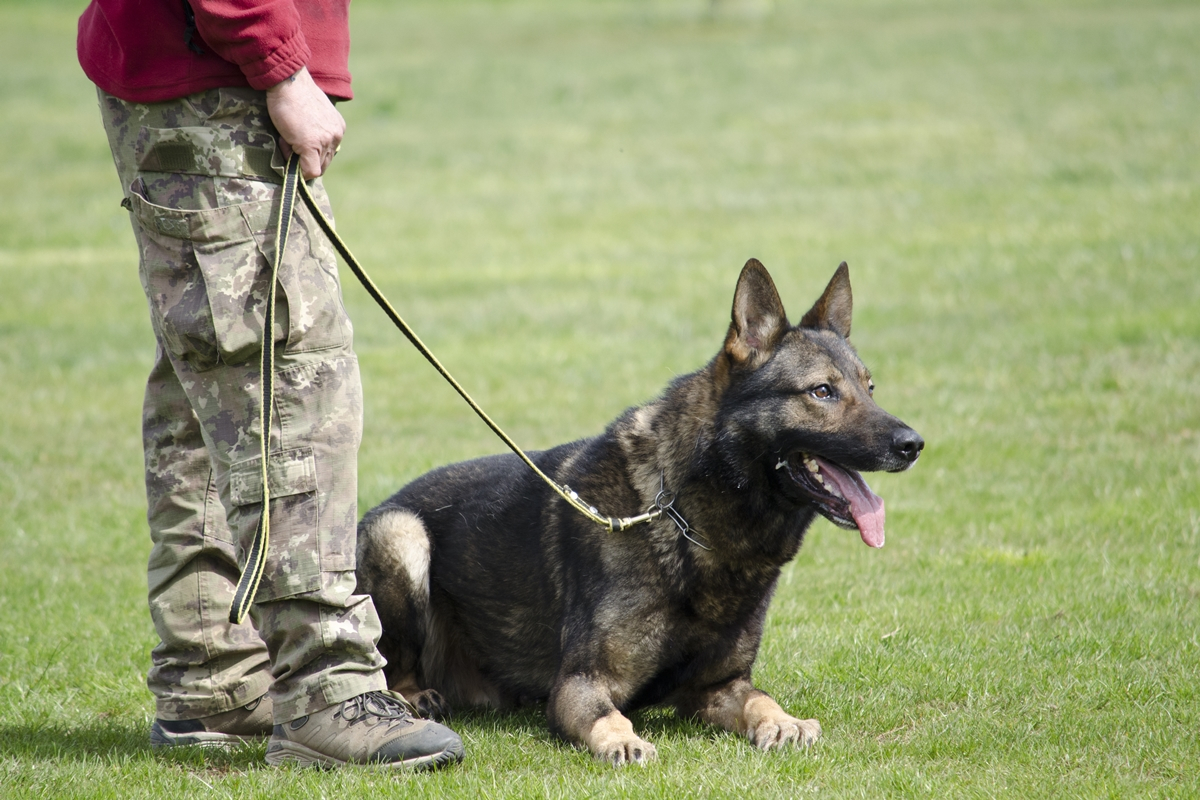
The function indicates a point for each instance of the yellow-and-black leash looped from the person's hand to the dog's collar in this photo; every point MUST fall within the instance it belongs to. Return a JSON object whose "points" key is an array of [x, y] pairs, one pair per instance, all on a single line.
{"points": [[256, 561]]}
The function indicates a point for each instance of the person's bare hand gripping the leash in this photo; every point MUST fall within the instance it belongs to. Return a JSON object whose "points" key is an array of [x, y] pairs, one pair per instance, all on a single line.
{"points": [[308, 123]]}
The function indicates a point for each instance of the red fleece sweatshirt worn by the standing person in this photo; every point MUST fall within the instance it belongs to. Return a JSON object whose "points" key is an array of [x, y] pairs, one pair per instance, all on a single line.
{"points": [[145, 51]]}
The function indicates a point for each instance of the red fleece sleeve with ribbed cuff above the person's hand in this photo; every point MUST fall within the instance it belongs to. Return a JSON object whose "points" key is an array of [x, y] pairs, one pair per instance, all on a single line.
{"points": [[263, 38]]}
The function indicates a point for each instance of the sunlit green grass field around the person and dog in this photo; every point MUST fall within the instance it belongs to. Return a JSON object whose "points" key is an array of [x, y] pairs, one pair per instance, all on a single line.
{"points": [[560, 196]]}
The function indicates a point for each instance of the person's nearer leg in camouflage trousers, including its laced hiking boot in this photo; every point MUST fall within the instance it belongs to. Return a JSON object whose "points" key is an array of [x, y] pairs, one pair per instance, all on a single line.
{"points": [[203, 208]]}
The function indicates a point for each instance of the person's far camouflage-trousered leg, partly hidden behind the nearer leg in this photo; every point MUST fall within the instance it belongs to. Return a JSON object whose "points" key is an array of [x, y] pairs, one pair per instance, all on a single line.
{"points": [[203, 666]]}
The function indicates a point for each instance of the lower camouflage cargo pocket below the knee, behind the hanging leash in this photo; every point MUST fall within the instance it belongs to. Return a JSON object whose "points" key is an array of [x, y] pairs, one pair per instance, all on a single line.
{"points": [[295, 549]]}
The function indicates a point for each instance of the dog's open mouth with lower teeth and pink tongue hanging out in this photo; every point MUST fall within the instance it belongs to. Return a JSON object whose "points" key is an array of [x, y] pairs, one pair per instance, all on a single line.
{"points": [[841, 495]]}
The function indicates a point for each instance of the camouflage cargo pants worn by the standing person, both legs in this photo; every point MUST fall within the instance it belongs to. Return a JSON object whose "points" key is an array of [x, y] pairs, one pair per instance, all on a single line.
{"points": [[202, 194]]}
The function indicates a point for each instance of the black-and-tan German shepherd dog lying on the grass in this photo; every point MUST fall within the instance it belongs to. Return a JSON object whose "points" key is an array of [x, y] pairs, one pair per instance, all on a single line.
{"points": [[494, 592]]}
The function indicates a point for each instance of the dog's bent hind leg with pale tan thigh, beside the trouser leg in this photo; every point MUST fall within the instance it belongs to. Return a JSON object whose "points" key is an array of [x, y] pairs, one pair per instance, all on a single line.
{"points": [[394, 569]]}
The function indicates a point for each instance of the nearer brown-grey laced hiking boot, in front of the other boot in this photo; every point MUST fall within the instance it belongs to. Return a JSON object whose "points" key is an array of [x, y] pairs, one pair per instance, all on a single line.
{"points": [[374, 730]]}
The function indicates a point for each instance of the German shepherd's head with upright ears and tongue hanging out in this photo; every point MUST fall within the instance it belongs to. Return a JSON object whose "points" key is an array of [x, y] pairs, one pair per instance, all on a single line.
{"points": [[805, 399]]}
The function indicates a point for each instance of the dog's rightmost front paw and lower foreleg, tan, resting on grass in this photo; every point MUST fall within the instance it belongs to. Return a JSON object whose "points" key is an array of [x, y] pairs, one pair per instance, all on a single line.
{"points": [[737, 706]]}
